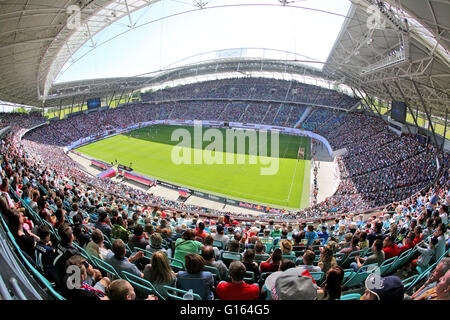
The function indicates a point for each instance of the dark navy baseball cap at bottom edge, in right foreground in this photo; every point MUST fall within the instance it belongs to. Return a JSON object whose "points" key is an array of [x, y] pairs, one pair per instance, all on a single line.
{"points": [[387, 288]]}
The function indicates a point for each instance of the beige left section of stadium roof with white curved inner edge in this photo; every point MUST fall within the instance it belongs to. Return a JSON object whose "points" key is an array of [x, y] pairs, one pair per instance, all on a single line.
{"points": [[38, 37]]}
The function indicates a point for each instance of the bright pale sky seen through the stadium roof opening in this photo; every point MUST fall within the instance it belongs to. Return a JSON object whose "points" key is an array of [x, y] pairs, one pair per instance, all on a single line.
{"points": [[169, 31]]}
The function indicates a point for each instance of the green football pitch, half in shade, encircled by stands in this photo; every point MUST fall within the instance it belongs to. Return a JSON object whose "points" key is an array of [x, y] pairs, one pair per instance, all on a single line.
{"points": [[151, 152]]}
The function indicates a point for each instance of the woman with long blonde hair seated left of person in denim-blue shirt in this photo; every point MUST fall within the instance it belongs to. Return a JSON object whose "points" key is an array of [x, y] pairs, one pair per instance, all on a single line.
{"points": [[159, 272]]}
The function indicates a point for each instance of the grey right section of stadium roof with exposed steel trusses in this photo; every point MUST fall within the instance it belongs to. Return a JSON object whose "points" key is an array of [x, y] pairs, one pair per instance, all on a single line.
{"points": [[404, 61]]}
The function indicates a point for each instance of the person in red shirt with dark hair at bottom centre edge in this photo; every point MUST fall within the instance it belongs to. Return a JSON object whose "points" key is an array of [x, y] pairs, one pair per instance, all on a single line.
{"points": [[237, 289]]}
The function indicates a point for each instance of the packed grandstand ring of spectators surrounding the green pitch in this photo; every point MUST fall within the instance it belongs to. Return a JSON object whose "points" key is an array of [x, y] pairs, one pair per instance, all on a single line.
{"points": [[45, 192]]}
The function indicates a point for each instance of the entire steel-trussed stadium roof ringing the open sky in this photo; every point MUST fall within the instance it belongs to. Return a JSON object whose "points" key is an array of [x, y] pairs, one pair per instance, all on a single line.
{"points": [[376, 51]]}
